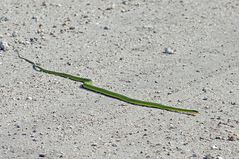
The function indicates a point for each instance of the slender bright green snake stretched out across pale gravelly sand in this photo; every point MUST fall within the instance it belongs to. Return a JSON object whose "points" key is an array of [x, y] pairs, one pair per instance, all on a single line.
{"points": [[88, 84]]}
